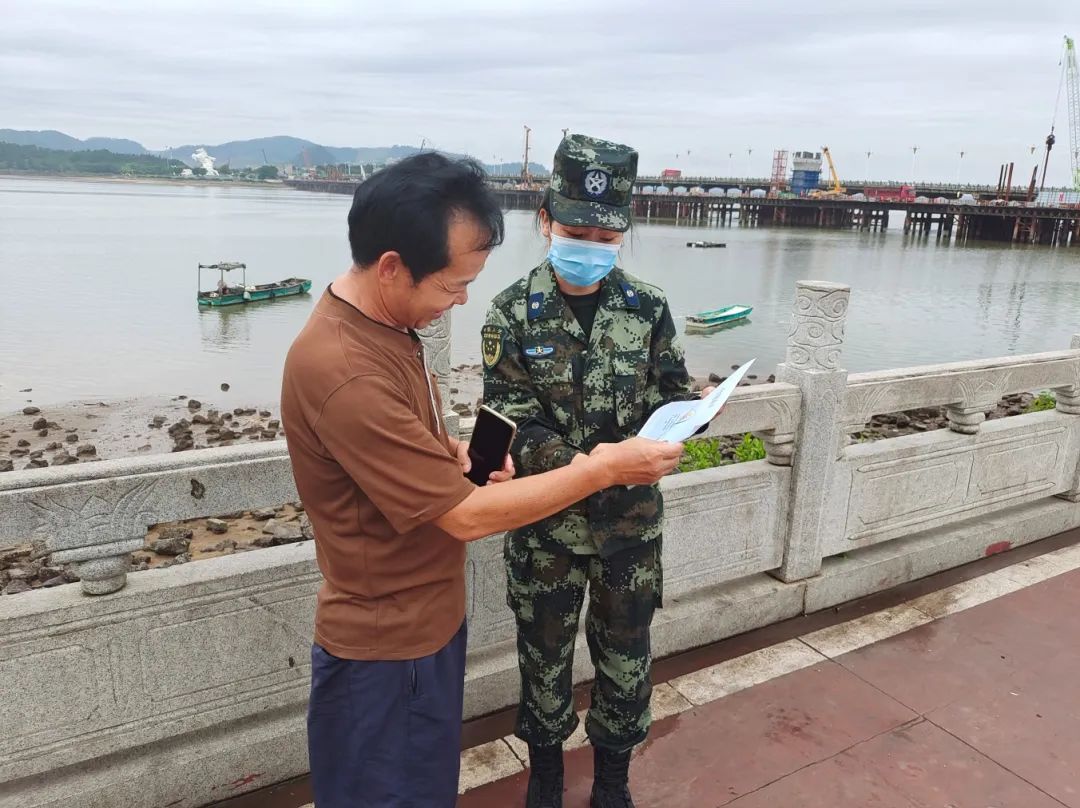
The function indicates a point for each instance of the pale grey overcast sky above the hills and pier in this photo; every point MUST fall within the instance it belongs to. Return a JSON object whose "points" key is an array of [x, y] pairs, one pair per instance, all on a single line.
{"points": [[688, 83]]}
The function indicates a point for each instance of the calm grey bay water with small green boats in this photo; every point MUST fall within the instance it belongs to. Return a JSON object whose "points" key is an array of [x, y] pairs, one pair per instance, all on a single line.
{"points": [[98, 285]]}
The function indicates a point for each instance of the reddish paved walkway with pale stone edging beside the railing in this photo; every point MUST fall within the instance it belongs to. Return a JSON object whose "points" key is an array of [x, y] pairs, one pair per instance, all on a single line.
{"points": [[964, 698]]}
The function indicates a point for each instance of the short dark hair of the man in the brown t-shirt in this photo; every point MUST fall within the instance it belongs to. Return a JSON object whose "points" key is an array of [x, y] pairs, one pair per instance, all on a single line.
{"points": [[408, 209]]}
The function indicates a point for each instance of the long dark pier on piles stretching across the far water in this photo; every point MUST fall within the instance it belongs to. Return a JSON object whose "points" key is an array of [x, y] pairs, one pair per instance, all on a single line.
{"points": [[982, 221]]}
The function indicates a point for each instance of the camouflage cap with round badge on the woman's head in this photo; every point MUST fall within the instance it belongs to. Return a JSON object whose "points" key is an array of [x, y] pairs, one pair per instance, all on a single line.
{"points": [[592, 182]]}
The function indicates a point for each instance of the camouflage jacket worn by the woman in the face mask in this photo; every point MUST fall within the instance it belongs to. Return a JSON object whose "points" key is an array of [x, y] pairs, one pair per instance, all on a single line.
{"points": [[568, 395]]}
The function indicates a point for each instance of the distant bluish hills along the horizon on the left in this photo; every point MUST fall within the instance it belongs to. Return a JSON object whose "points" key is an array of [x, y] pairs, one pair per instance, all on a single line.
{"points": [[277, 151]]}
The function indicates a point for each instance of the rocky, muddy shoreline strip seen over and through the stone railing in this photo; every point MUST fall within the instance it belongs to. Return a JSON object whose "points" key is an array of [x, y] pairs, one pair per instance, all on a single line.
{"points": [[42, 437]]}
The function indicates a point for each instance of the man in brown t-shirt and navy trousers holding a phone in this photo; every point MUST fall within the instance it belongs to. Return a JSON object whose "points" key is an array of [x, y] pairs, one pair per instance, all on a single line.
{"points": [[384, 487]]}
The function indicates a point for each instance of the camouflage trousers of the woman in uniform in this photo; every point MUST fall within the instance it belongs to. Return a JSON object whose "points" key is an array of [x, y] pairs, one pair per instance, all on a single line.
{"points": [[546, 590]]}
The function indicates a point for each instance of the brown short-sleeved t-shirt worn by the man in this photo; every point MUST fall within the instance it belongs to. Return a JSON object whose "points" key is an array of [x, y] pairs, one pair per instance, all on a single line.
{"points": [[373, 467]]}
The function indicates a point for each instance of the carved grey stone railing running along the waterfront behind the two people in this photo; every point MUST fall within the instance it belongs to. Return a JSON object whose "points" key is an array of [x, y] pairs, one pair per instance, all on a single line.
{"points": [[188, 685]]}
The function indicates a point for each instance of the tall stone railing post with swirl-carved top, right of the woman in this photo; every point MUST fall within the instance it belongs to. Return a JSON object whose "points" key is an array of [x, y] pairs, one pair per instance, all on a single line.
{"points": [[815, 347]]}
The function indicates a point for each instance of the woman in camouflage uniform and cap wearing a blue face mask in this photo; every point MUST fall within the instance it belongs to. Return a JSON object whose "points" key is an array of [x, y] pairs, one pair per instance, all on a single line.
{"points": [[577, 354]]}
